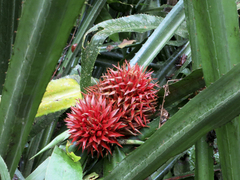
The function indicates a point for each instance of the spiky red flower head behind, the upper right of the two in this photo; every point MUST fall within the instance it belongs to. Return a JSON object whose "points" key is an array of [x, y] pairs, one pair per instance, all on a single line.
{"points": [[132, 90]]}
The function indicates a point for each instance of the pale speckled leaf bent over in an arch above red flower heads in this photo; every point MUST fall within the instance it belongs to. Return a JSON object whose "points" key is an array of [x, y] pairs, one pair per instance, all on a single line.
{"points": [[134, 23]]}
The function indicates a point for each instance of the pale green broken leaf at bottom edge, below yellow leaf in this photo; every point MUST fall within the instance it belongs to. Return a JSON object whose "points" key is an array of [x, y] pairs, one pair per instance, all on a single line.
{"points": [[62, 167]]}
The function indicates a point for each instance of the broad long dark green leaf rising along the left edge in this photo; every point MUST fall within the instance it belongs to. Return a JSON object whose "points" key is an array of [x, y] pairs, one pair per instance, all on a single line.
{"points": [[42, 33]]}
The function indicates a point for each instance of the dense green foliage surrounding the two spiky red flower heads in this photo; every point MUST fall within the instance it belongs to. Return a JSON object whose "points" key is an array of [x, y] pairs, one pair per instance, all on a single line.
{"points": [[186, 44]]}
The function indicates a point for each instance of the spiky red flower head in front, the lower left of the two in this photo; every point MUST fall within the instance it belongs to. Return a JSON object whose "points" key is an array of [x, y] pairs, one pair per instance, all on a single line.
{"points": [[94, 123]]}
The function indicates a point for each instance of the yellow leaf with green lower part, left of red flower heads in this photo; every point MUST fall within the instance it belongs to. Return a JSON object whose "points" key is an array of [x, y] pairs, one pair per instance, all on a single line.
{"points": [[60, 95]]}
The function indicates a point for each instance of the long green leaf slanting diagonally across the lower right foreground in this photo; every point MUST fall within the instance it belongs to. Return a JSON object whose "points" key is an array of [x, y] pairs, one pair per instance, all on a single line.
{"points": [[211, 108]]}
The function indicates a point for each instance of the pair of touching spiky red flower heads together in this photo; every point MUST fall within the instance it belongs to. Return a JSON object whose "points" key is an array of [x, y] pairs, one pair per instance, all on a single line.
{"points": [[120, 104]]}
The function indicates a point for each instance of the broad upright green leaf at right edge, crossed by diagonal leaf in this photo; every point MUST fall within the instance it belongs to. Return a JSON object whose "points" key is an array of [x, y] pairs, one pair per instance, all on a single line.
{"points": [[217, 29]]}
